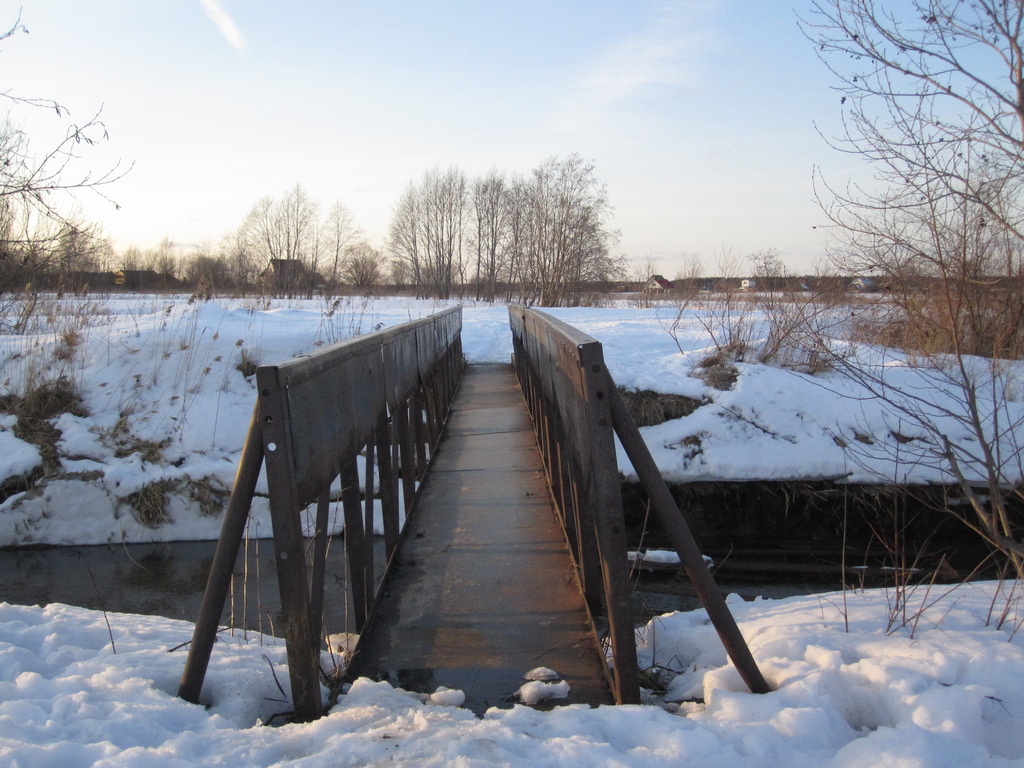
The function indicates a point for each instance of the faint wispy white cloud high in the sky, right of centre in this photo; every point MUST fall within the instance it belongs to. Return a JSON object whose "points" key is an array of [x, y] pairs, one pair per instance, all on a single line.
{"points": [[667, 56]]}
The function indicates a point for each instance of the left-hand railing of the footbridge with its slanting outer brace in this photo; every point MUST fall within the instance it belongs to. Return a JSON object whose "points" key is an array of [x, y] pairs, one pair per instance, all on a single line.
{"points": [[386, 396]]}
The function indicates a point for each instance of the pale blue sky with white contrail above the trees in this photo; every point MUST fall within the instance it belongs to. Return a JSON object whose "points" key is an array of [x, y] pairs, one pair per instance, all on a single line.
{"points": [[702, 117]]}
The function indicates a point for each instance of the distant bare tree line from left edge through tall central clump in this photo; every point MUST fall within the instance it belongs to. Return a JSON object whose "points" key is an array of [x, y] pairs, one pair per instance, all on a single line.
{"points": [[540, 239]]}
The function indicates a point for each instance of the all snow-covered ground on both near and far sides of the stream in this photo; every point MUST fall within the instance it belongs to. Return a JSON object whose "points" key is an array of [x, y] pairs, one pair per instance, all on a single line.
{"points": [[877, 678]]}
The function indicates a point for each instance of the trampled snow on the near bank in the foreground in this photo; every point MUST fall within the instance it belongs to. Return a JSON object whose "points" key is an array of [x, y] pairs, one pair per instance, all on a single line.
{"points": [[946, 690]]}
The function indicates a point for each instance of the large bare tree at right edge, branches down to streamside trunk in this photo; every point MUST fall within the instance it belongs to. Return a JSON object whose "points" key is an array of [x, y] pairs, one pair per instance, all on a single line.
{"points": [[934, 100]]}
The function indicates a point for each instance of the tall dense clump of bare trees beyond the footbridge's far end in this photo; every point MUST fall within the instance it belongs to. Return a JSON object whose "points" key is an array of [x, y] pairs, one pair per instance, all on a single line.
{"points": [[541, 239]]}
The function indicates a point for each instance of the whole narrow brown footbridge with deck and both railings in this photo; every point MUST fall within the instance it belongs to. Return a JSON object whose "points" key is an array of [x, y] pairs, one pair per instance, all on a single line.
{"points": [[513, 556]]}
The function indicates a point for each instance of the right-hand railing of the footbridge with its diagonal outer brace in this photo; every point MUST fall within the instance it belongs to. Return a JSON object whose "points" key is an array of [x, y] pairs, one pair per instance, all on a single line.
{"points": [[577, 410]]}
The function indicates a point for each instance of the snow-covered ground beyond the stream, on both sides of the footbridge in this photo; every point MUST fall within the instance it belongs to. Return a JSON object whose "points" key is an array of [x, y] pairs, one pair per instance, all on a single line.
{"points": [[167, 406]]}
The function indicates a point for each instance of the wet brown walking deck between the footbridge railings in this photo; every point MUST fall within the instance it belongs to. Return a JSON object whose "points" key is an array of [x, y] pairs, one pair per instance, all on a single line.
{"points": [[483, 589]]}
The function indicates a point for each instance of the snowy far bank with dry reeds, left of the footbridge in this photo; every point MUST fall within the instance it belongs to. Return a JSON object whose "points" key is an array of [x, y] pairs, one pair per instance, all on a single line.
{"points": [[167, 405]]}
